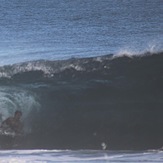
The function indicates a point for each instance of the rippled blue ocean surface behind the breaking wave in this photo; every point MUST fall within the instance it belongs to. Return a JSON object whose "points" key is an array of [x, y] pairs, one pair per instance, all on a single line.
{"points": [[53, 29]]}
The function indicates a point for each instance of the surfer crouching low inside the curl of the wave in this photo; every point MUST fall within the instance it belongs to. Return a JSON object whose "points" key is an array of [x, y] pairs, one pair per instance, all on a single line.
{"points": [[14, 123]]}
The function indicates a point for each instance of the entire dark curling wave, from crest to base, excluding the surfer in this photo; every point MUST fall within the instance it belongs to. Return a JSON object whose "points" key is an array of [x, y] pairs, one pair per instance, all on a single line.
{"points": [[97, 103]]}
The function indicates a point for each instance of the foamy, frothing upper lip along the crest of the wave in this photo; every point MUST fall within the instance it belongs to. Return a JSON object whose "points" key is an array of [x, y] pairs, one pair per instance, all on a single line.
{"points": [[49, 69]]}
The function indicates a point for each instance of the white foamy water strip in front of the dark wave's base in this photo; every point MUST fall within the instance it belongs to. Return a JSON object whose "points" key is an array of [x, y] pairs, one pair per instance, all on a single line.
{"points": [[79, 156]]}
